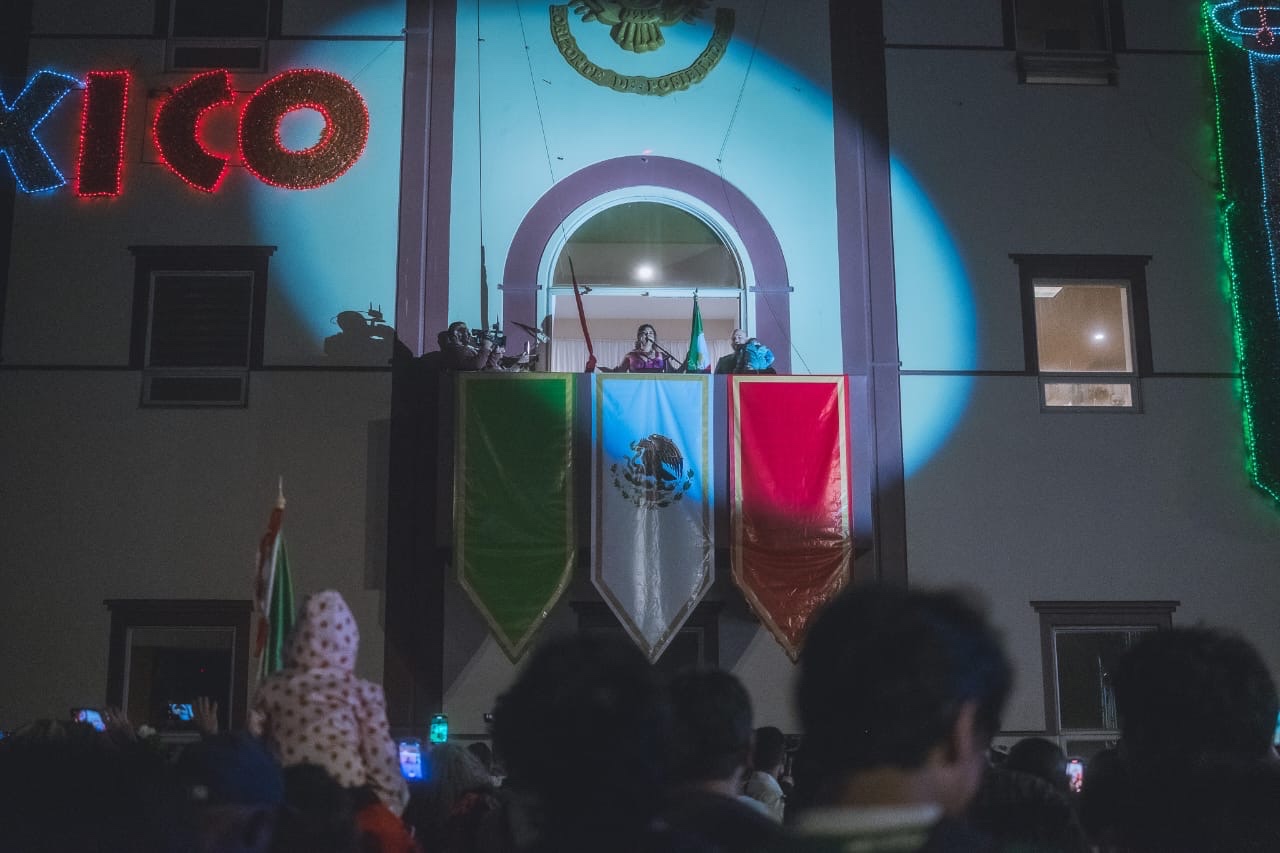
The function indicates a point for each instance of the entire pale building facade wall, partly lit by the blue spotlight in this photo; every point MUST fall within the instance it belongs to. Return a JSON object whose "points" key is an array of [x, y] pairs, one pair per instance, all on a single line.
{"points": [[103, 500]]}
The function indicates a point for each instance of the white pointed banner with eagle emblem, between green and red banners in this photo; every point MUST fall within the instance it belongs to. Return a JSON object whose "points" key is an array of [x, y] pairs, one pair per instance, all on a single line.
{"points": [[652, 482]]}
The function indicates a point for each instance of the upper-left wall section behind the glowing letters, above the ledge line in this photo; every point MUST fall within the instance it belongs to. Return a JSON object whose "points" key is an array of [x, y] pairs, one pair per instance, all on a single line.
{"points": [[75, 307]]}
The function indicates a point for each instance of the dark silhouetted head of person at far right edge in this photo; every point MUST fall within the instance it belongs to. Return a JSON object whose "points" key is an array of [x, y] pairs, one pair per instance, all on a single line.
{"points": [[1197, 711]]}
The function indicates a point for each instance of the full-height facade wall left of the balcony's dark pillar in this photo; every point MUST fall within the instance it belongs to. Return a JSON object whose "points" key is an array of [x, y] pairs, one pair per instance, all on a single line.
{"points": [[100, 499]]}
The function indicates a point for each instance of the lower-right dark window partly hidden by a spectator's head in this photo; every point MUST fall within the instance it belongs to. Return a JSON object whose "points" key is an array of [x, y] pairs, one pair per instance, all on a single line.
{"points": [[1081, 642]]}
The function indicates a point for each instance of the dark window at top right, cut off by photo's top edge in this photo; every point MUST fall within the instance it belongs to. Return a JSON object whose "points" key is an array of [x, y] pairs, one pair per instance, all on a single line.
{"points": [[1066, 42]]}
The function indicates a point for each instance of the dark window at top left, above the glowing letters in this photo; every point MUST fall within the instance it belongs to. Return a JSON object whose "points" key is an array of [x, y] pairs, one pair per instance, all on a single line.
{"points": [[231, 34]]}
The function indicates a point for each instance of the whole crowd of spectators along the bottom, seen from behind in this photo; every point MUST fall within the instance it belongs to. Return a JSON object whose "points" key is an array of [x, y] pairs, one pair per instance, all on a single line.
{"points": [[900, 695]]}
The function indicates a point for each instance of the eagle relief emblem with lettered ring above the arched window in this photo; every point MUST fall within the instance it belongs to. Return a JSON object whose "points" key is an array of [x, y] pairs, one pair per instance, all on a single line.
{"points": [[637, 26]]}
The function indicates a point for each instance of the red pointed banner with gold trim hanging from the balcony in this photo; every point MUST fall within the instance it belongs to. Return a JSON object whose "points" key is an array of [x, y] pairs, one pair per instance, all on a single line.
{"points": [[789, 481]]}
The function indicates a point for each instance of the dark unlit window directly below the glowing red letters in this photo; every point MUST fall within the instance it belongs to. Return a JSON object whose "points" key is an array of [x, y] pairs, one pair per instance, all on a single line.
{"points": [[198, 322]]}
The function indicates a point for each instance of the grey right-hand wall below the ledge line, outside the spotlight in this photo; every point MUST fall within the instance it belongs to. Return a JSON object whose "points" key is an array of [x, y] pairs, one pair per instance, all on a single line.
{"points": [[1023, 507]]}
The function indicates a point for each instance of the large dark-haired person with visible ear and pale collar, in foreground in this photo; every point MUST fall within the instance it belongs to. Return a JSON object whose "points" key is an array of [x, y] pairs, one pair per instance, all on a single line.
{"points": [[900, 694]]}
